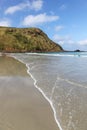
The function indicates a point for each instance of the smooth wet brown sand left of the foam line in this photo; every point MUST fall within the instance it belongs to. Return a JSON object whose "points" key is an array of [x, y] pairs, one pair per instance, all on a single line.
{"points": [[22, 106]]}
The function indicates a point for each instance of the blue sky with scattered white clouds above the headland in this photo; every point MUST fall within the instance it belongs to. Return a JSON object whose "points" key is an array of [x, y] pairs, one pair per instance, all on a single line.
{"points": [[64, 21]]}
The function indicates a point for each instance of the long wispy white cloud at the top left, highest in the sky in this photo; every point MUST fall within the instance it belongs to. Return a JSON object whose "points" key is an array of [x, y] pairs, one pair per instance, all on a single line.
{"points": [[34, 5]]}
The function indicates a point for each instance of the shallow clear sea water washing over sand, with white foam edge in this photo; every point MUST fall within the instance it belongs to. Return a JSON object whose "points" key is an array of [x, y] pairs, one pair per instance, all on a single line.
{"points": [[62, 80]]}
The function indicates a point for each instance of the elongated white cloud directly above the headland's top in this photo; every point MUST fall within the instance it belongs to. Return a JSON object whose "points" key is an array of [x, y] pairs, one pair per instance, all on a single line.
{"points": [[32, 20]]}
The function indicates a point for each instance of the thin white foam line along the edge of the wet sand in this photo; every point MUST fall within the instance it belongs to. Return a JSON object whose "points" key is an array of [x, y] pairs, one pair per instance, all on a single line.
{"points": [[40, 90]]}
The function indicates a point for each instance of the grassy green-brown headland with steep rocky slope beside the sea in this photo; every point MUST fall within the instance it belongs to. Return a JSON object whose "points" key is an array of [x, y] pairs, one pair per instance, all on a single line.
{"points": [[26, 40]]}
